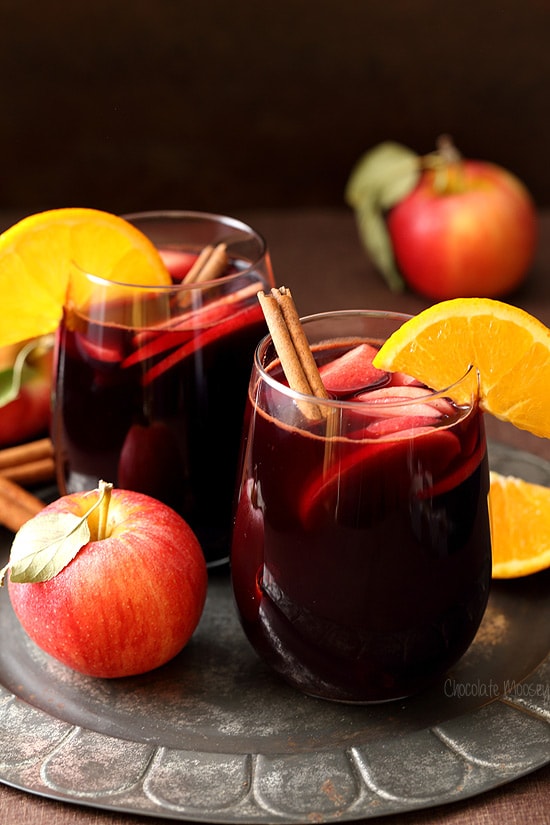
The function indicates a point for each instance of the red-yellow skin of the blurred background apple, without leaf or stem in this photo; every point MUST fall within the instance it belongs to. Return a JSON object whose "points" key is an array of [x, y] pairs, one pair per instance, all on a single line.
{"points": [[477, 240]]}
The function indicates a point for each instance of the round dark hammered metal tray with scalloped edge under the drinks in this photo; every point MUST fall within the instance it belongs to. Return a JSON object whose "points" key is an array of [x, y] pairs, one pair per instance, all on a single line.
{"points": [[216, 737]]}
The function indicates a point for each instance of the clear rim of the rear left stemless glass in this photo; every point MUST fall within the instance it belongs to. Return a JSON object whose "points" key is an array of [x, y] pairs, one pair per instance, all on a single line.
{"points": [[213, 217]]}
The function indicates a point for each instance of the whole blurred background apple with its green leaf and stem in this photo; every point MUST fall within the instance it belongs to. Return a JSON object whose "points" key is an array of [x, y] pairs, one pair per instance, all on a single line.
{"points": [[446, 226]]}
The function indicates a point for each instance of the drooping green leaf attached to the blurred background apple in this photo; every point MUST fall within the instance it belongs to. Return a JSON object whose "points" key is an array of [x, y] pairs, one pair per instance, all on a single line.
{"points": [[381, 179]]}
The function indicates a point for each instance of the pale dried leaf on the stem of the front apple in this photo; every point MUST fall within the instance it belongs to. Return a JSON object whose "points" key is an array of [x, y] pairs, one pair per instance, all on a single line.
{"points": [[44, 546]]}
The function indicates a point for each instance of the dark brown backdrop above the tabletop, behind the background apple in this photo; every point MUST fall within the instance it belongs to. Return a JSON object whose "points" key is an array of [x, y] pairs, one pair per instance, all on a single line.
{"points": [[226, 104]]}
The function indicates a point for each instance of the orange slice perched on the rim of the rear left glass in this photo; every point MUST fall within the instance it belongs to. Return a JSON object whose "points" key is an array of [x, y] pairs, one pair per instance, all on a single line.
{"points": [[37, 253]]}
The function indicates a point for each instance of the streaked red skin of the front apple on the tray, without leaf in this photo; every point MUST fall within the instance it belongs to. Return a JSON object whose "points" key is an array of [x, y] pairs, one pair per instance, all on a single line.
{"points": [[125, 604]]}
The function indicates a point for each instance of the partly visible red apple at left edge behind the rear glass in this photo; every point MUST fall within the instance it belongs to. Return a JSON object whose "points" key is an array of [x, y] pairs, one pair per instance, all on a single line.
{"points": [[27, 415]]}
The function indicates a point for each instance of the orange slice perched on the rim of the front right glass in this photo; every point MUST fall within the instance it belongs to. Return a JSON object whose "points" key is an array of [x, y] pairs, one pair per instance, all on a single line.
{"points": [[509, 348]]}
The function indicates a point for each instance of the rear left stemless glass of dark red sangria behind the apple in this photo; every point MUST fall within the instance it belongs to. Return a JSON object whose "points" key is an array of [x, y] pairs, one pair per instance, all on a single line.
{"points": [[151, 381]]}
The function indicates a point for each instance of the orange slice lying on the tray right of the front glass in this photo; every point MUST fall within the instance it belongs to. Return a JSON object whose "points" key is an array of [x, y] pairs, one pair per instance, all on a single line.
{"points": [[520, 526]]}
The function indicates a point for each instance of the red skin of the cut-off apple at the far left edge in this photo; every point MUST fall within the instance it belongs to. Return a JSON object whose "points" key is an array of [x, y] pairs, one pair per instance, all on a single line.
{"points": [[28, 415]]}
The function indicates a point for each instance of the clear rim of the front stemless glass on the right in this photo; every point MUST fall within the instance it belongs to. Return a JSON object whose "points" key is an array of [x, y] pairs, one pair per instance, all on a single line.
{"points": [[343, 403]]}
